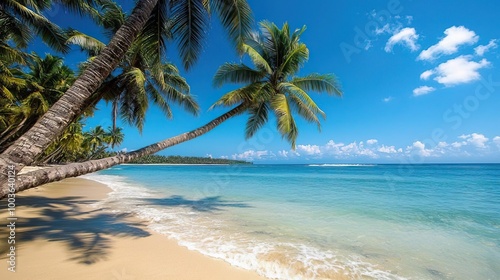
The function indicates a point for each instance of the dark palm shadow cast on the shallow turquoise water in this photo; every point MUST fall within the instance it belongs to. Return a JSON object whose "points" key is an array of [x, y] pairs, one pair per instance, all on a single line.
{"points": [[207, 204]]}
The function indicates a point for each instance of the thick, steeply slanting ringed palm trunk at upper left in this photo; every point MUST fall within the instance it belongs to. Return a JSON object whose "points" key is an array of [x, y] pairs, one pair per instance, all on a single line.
{"points": [[29, 146]]}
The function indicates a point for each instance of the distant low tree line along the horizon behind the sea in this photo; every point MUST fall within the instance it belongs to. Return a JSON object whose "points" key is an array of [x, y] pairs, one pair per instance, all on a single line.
{"points": [[156, 159]]}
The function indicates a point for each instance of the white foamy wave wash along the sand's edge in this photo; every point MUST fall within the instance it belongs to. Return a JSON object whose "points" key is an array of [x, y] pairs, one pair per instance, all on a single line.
{"points": [[213, 236]]}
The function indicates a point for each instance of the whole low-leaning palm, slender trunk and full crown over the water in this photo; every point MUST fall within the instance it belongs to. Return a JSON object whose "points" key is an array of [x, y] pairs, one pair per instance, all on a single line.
{"points": [[272, 86]]}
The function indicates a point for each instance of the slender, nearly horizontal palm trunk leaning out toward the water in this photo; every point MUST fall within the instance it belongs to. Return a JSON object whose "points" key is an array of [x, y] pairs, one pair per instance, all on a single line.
{"points": [[44, 176]]}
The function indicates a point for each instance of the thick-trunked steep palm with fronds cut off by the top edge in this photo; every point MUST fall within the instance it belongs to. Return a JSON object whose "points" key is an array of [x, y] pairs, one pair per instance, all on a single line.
{"points": [[190, 22]]}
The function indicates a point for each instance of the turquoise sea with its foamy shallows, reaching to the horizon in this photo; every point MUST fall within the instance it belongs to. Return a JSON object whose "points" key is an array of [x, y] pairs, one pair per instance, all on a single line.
{"points": [[324, 221]]}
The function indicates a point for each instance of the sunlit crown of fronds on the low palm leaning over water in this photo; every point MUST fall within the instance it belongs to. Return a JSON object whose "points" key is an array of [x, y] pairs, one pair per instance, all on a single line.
{"points": [[272, 85]]}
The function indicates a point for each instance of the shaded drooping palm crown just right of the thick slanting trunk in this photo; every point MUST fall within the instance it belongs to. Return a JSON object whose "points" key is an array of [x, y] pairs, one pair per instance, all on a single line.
{"points": [[141, 77]]}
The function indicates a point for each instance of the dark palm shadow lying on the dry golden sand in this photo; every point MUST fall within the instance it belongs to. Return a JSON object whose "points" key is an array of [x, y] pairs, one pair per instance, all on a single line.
{"points": [[87, 234]]}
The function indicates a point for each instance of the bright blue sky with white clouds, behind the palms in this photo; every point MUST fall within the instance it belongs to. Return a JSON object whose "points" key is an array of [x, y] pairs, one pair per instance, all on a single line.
{"points": [[420, 81]]}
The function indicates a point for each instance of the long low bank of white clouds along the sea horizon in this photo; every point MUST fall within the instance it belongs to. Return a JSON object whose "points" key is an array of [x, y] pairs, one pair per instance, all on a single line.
{"points": [[473, 145]]}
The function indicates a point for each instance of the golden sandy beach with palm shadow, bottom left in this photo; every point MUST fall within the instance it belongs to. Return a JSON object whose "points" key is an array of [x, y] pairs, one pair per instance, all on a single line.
{"points": [[60, 234]]}
